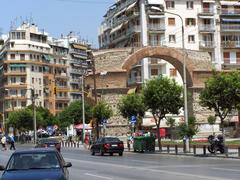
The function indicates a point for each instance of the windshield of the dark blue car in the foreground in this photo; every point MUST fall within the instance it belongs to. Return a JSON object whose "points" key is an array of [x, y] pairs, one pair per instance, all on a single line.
{"points": [[24, 161]]}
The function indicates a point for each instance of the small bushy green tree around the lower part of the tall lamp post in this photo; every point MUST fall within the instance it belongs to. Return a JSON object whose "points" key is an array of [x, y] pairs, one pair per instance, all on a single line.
{"points": [[190, 130]]}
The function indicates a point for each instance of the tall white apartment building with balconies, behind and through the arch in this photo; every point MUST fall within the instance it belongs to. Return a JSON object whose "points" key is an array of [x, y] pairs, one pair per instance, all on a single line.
{"points": [[209, 25]]}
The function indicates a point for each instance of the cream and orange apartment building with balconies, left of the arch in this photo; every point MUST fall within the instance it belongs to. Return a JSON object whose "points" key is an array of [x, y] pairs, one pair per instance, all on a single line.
{"points": [[31, 60]]}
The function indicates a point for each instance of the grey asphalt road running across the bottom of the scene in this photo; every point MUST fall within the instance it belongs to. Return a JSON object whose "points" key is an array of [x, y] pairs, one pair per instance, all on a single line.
{"points": [[133, 166]]}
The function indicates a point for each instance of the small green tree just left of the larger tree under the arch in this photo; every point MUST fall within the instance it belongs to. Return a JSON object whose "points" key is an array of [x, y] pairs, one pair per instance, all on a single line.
{"points": [[132, 105]]}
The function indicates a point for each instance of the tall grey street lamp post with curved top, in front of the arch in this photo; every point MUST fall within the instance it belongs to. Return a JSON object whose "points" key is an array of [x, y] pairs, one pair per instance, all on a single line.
{"points": [[184, 78]]}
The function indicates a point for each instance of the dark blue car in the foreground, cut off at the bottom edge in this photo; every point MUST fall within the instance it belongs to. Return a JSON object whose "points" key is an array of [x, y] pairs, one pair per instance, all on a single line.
{"points": [[38, 164]]}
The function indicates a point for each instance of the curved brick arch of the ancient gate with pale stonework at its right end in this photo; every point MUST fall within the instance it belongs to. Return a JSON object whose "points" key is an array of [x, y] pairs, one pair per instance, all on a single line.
{"points": [[174, 56]]}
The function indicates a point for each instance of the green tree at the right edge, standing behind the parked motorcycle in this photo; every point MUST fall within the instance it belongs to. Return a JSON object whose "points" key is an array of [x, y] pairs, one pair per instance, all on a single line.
{"points": [[221, 94]]}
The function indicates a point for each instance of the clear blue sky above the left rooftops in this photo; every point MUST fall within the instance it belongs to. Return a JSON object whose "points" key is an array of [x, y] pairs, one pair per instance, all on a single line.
{"points": [[57, 16]]}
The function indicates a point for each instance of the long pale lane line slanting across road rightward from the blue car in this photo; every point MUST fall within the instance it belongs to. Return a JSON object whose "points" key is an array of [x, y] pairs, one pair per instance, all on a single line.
{"points": [[153, 170]]}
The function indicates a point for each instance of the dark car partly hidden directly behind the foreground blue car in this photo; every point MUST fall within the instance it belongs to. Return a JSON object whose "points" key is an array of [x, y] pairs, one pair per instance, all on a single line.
{"points": [[49, 142]]}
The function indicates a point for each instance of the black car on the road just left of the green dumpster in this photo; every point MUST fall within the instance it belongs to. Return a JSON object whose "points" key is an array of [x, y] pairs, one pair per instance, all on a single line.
{"points": [[108, 145]]}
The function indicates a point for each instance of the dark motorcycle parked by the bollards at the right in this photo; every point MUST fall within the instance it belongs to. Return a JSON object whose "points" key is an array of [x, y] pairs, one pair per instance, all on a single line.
{"points": [[216, 144]]}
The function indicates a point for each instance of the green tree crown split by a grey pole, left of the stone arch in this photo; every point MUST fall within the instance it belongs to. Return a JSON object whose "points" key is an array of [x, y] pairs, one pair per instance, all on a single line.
{"points": [[73, 114]]}
